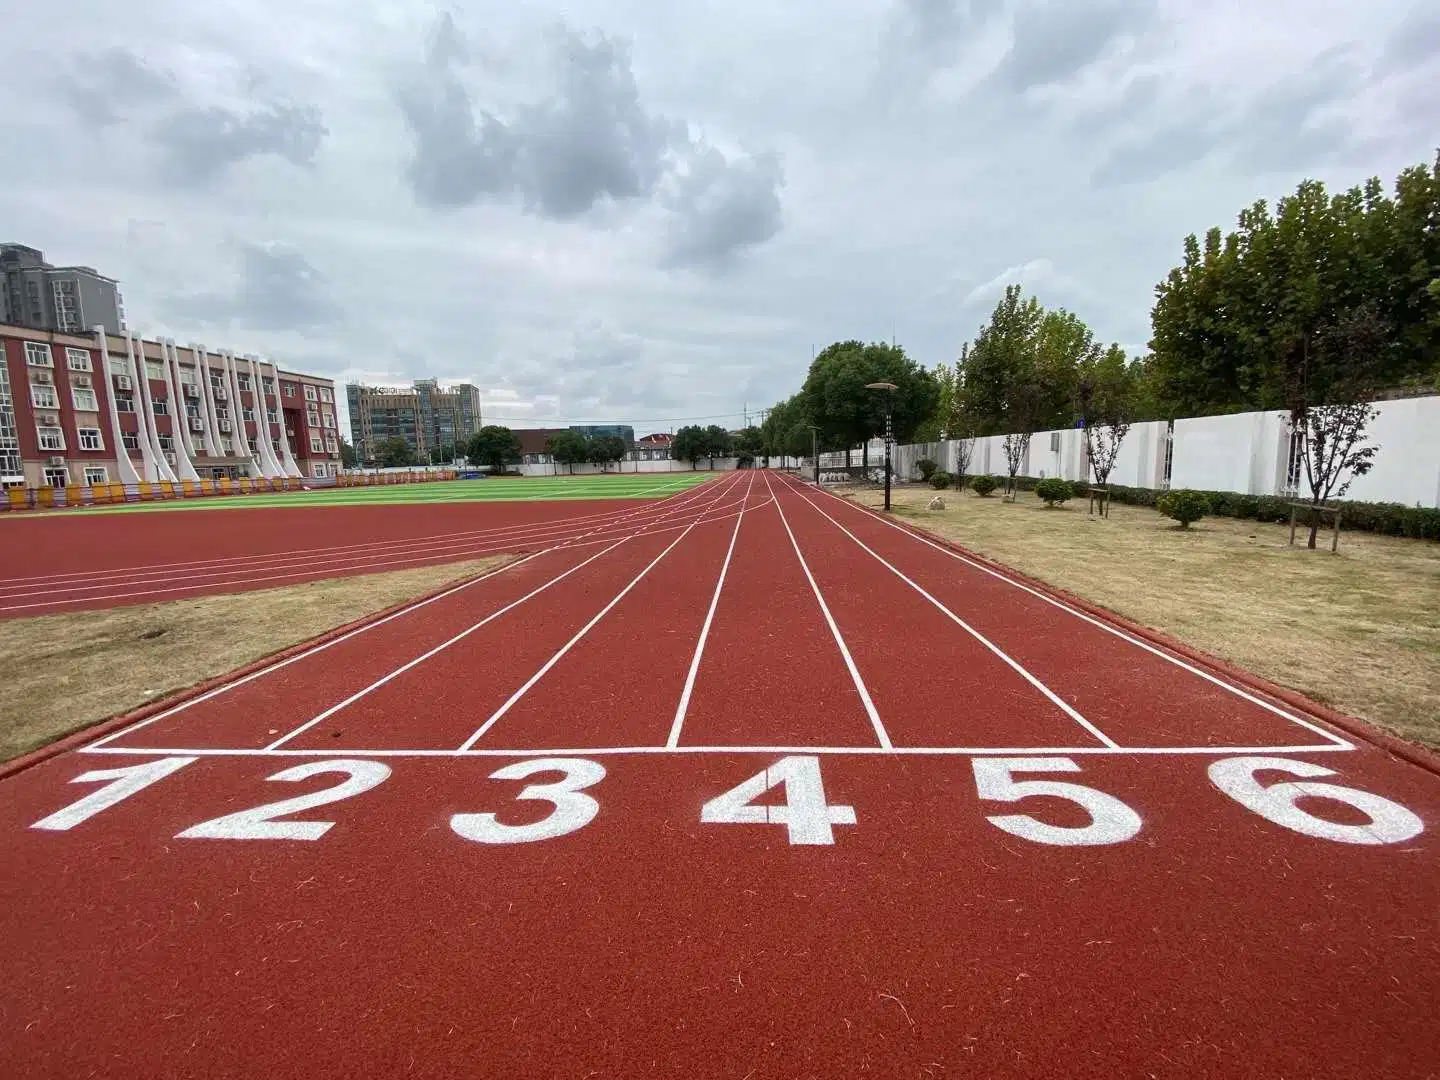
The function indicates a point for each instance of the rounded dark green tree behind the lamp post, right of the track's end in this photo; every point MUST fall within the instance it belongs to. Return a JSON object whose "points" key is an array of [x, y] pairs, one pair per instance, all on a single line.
{"points": [[836, 400]]}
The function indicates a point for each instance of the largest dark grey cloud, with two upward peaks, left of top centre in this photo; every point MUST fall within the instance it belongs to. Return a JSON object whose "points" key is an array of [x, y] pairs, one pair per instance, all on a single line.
{"points": [[591, 142]]}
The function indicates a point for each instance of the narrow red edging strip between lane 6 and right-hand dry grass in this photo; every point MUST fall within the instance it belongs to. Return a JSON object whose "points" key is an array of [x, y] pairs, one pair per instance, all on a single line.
{"points": [[1354, 726]]}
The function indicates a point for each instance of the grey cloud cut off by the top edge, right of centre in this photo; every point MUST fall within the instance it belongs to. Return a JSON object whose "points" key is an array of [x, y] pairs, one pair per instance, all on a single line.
{"points": [[1056, 40]]}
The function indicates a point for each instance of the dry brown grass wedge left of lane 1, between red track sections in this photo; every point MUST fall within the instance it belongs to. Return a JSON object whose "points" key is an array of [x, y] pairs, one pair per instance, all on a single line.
{"points": [[66, 672]]}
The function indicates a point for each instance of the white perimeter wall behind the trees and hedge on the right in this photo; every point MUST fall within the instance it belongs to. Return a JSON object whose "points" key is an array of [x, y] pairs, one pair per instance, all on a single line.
{"points": [[1243, 453]]}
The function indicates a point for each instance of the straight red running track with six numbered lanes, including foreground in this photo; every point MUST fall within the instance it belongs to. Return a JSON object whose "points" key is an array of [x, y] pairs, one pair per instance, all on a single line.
{"points": [[1003, 840]]}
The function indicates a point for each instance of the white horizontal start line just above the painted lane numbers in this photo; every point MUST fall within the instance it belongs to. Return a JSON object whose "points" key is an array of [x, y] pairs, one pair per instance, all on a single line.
{"points": [[701, 750]]}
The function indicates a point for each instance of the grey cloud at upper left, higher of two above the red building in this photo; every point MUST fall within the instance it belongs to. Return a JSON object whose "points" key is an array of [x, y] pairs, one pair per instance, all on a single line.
{"points": [[202, 143]]}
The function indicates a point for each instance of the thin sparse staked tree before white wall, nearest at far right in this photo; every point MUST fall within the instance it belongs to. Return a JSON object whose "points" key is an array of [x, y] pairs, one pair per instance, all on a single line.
{"points": [[1330, 392]]}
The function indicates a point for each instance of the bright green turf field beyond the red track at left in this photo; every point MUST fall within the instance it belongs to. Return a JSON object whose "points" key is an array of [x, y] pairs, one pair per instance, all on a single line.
{"points": [[500, 489]]}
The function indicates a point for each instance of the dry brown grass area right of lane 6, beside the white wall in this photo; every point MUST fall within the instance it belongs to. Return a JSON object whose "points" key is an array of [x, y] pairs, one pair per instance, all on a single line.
{"points": [[1359, 630]]}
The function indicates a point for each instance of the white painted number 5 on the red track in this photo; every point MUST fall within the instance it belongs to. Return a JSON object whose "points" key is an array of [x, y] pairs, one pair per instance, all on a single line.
{"points": [[1111, 820]]}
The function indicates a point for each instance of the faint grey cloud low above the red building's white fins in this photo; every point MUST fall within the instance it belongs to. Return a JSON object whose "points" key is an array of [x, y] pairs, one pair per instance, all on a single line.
{"points": [[279, 290]]}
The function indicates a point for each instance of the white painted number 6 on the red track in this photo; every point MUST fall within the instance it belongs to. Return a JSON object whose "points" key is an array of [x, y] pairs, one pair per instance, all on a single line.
{"points": [[1389, 822]]}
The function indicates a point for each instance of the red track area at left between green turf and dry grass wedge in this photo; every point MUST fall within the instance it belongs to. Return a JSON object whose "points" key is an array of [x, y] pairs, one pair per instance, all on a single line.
{"points": [[55, 564]]}
